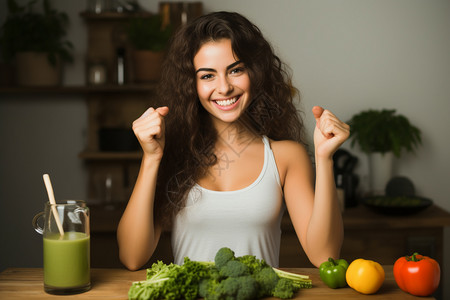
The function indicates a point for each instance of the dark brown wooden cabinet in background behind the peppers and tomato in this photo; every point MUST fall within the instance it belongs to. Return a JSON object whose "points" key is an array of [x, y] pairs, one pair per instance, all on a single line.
{"points": [[379, 237]]}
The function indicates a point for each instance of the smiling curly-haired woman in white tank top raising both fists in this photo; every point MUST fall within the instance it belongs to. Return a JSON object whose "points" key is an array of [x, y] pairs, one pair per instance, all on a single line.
{"points": [[224, 154]]}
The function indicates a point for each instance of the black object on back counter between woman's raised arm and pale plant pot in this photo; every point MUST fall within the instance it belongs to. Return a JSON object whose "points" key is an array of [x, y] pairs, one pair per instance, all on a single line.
{"points": [[345, 179]]}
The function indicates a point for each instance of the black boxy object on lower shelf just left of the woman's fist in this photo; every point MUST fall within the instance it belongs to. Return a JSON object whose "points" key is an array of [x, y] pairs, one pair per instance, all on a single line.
{"points": [[117, 139]]}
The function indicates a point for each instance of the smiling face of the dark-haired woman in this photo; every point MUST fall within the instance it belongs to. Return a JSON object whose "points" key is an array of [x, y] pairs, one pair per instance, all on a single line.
{"points": [[223, 84]]}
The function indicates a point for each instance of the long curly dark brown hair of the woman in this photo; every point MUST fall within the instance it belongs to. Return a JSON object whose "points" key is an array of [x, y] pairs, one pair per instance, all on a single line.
{"points": [[190, 136]]}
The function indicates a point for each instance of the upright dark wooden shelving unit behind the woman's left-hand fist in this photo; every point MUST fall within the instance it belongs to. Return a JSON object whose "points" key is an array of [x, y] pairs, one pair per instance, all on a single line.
{"points": [[112, 106]]}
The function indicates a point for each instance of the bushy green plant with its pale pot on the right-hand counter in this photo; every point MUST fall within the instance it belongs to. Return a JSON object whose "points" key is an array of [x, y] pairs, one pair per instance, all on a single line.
{"points": [[382, 134]]}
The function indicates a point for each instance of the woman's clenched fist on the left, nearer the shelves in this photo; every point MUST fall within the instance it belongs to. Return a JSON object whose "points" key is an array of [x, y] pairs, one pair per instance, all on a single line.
{"points": [[149, 130]]}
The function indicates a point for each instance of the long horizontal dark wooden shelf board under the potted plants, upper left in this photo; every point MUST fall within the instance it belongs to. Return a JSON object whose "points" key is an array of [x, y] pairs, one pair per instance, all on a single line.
{"points": [[81, 89]]}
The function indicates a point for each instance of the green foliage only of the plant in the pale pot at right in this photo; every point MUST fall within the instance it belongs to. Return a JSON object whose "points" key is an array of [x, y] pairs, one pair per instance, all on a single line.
{"points": [[383, 131]]}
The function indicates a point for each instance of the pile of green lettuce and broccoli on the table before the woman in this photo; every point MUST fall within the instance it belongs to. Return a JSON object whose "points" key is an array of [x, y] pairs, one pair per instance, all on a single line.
{"points": [[228, 277]]}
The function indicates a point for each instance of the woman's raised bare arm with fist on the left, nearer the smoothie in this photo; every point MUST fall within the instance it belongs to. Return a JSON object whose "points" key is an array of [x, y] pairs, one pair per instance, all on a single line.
{"points": [[137, 233]]}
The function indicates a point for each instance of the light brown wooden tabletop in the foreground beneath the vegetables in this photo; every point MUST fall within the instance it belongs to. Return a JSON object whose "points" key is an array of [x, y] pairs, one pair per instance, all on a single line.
{"points": [[23, 283]]}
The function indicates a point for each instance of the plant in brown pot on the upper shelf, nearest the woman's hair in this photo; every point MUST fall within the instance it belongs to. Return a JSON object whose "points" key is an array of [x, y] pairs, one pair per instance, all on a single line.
{"points": [[149, 38]]}
